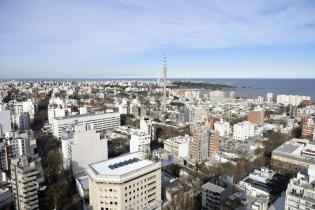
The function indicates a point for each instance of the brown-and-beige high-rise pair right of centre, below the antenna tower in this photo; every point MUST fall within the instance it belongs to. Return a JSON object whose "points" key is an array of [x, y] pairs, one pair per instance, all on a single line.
{"points": [[204, 143]]}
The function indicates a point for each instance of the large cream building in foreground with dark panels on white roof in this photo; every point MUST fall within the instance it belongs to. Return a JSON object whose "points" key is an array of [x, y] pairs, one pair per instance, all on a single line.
{"points": [[125, 182]]}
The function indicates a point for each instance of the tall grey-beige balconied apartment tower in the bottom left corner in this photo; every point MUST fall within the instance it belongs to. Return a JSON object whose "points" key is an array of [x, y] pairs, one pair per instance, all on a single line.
{"points": [[26, 174]]}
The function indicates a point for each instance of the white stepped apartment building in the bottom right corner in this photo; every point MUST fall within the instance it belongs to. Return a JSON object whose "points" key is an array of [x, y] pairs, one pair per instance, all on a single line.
{"points": [[300, 193]]}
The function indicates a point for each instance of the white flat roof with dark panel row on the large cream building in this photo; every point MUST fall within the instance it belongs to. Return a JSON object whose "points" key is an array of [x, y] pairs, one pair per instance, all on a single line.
{"points": [[120, 165]]}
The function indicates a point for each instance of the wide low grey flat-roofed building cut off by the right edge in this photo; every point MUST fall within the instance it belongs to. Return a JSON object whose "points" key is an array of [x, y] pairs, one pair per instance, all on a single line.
{"points": [[298, 152]]}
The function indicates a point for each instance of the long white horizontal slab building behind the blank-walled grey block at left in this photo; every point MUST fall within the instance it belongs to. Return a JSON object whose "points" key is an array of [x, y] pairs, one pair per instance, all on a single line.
{"points": [[100, 121]]}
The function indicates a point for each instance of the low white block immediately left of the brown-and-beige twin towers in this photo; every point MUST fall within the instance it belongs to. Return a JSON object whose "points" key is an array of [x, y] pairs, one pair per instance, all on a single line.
{"points": [[178, 146]]}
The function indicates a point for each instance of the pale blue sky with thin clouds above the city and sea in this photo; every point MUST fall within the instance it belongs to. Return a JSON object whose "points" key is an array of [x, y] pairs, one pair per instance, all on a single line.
{"points": [[127, 38]]}
